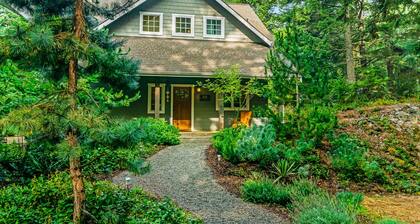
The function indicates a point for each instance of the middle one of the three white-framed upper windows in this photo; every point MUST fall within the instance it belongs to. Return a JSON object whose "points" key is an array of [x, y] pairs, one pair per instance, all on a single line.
{"points": [[182, 25]]}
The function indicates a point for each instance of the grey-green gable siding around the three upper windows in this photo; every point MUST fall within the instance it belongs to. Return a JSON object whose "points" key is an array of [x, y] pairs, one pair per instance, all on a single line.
{"points": [[129, 25]]}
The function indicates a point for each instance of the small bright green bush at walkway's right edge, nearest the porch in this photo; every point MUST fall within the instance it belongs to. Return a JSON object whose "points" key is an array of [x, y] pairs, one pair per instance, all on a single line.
{"points": [[225, 142]]}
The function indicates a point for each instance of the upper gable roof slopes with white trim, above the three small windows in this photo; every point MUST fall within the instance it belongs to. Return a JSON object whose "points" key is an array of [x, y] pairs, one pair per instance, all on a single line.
{"points": [[243, 12]]}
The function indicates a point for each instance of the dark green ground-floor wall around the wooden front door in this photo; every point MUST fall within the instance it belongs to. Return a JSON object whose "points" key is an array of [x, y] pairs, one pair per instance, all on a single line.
{"points": [[205, 114]]}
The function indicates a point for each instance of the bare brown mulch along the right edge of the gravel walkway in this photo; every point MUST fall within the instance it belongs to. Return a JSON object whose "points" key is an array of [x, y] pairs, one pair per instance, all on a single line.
{"points": [[231, 178]]}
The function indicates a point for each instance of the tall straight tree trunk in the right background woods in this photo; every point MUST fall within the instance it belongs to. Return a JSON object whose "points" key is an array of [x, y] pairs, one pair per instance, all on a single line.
{"points": [[351, 74]]}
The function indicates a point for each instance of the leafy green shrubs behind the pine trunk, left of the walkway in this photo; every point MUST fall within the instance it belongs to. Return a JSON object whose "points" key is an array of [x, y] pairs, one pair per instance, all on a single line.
{"points": [[106, 148]]}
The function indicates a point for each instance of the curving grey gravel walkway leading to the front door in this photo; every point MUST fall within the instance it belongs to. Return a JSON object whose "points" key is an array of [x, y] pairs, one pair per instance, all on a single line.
{"points": [[181, 173]]}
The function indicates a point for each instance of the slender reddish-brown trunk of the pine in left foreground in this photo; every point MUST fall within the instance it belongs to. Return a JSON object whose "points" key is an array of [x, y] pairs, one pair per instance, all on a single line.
{"points": [[75, 171]]}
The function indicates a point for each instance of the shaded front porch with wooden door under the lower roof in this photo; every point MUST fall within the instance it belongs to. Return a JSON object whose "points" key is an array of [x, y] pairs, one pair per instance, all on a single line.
{"points": [[183, 104]]}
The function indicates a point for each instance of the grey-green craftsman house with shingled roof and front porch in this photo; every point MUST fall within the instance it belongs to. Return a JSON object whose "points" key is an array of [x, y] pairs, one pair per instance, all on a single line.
{"points": [[180, 42]]}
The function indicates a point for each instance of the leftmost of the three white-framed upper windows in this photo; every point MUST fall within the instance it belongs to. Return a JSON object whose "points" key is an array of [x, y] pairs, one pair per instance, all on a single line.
{"points": [[151, 23]]}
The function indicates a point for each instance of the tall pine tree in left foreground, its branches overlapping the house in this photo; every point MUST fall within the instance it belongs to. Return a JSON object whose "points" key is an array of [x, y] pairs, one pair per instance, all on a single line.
{"points": [[61, 44]]}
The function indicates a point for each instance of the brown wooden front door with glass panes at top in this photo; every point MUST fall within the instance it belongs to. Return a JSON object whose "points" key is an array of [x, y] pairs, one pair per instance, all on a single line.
{"points": [[182, 108]]}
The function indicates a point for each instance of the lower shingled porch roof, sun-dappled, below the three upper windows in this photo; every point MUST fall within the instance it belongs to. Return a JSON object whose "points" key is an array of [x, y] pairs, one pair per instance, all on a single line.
{"points": [[195, 58]]}
